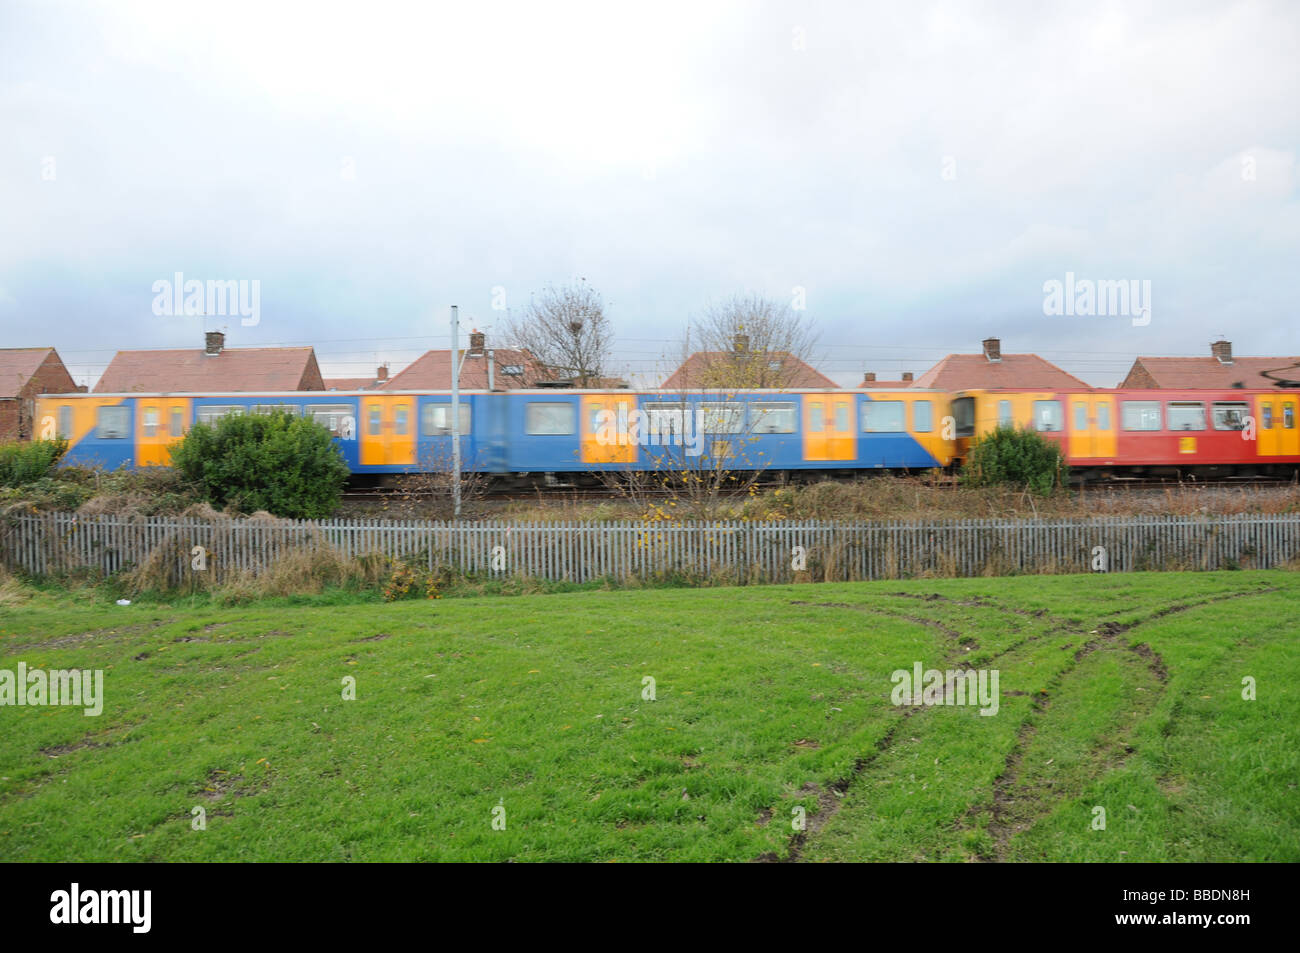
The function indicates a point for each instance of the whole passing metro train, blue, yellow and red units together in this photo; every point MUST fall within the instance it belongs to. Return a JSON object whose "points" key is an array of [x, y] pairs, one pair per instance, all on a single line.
{"points": [[570, 436]]}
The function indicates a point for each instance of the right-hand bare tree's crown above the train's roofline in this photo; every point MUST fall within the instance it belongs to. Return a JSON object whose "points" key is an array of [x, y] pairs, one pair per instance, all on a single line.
{"points": [[749, 341]]}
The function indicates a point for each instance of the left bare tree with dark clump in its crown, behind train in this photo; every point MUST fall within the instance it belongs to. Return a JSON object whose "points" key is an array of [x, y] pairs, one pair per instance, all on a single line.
{"points": [[566, 330]]}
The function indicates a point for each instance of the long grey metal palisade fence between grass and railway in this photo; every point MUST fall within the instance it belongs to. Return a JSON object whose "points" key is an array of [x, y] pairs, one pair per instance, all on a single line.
{"points": [[721, 552]]}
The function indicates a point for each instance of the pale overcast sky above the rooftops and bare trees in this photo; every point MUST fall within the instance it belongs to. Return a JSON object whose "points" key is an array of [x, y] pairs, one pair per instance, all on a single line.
{"points": [[918, 170]]}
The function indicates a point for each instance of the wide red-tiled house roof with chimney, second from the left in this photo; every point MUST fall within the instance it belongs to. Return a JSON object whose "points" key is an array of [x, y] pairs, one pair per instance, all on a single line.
{"points": [[215, 369]]}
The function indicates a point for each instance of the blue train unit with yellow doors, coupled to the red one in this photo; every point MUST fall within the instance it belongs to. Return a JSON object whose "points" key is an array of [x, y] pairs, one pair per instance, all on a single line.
{"points": [[535, 431]]}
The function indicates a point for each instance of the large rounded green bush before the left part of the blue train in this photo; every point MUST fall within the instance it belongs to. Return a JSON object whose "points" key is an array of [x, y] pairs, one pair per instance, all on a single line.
{"points": [[281, 463]]}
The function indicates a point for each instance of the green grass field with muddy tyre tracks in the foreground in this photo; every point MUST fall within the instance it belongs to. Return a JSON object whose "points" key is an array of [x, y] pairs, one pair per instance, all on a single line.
{"points": [[1117, 692]]}
